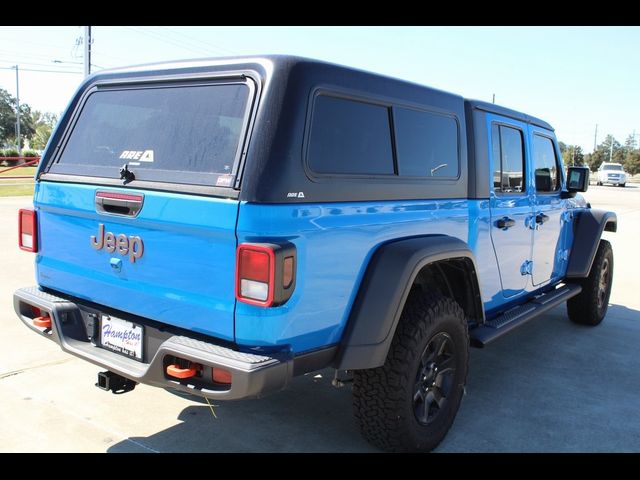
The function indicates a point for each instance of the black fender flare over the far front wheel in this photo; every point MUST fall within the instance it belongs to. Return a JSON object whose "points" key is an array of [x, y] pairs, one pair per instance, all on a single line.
{"points": [[587, 230]]}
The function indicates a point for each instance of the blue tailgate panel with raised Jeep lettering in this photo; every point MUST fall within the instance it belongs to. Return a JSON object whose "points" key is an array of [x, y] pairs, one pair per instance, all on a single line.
{"points": [[183, 275]]}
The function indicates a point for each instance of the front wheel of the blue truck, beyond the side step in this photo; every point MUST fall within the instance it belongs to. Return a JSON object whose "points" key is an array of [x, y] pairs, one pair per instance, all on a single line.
{"points": [[590, 306]]}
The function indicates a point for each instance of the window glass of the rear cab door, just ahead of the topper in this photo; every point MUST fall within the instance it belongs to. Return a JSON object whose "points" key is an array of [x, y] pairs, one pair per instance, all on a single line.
{"points": [[508, 155]]}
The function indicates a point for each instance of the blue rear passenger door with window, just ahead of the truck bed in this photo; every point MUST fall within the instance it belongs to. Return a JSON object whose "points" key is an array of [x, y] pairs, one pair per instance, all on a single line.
{"points": [[510, 203]]}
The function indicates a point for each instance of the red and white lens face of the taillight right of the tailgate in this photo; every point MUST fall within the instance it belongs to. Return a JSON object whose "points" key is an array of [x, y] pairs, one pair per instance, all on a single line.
{"points": [[255, 274]]}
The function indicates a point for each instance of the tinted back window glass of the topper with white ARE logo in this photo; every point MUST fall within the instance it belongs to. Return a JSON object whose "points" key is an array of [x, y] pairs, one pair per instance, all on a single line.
{"points": [[177, 134]]}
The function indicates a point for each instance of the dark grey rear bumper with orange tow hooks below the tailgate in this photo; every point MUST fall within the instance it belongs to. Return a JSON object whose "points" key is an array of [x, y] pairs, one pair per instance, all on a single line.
{"points": [[252, 375]]}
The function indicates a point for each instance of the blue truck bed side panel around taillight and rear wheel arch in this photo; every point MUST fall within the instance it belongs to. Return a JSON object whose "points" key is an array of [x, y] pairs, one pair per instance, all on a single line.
{"points": [[334, 244]]}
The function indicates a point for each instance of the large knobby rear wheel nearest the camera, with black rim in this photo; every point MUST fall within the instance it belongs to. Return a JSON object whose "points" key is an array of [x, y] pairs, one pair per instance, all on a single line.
{"points": [[409, 404]]}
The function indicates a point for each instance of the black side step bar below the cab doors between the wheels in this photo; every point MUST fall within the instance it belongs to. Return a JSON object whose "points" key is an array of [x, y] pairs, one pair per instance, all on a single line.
{"points": [[511, 319]]}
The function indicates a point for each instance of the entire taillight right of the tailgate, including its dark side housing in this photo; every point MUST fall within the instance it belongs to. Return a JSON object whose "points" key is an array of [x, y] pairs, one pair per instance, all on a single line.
{"points": [[265, 273]]}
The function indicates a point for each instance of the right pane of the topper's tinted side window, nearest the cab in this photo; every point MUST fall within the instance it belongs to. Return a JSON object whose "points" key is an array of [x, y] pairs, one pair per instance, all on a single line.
{"points": [[427, 144]]}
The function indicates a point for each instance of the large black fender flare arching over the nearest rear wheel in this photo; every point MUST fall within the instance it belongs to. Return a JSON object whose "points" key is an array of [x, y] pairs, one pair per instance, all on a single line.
{"points": [[383, 291]]}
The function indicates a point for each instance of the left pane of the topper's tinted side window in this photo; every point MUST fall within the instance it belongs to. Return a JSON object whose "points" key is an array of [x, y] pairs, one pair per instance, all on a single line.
{"points": [[350, 137]]}
